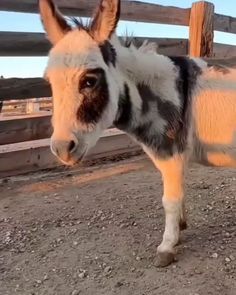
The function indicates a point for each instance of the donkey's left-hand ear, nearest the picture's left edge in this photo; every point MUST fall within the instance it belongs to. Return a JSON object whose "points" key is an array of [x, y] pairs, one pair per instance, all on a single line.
{"points": [[54, 23]]}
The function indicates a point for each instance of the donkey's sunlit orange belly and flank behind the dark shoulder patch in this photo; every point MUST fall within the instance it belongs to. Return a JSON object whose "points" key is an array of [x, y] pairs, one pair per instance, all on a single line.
{"points": [[214, 117]]}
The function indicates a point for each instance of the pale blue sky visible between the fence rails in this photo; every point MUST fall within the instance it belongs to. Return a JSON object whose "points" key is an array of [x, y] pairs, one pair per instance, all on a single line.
{"points": [[34, 66]]}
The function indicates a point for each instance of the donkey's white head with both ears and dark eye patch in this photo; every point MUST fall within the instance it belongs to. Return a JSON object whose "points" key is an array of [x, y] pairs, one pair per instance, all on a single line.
{"points": [[81, 71]]}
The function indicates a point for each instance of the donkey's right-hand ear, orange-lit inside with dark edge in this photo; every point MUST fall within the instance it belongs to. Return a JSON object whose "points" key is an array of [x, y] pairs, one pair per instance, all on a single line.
{"points": [[105, 20]]}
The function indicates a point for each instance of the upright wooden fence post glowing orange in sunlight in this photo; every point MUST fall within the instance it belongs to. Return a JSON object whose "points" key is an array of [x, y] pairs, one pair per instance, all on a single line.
{"points": [[201, 29]]}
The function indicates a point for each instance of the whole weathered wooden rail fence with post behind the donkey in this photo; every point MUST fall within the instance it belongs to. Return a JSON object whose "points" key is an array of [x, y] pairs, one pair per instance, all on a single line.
{"points": [[24, 144]]}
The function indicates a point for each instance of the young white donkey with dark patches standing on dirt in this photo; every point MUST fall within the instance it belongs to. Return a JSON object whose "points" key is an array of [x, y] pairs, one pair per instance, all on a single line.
{"points": [[178, 109]]}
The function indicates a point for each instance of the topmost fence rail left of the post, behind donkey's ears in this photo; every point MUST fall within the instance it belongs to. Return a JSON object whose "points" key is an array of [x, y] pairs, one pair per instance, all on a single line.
{"points": [[130, 10]]}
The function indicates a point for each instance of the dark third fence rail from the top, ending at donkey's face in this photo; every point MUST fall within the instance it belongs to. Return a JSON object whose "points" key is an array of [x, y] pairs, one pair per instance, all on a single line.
{"points": [[23, 88]]}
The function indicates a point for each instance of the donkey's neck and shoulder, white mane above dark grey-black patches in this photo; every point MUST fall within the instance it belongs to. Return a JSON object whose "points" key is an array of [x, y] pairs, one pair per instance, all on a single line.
{"points": [[154, 98]]}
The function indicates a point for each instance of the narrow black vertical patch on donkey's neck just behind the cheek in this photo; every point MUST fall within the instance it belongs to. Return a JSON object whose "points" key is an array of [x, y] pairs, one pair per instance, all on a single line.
{"points": [[124, 114]]}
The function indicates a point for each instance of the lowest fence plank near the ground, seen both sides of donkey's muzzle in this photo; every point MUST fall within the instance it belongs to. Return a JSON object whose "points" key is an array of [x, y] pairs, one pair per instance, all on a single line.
{"points": [[34, 156]]}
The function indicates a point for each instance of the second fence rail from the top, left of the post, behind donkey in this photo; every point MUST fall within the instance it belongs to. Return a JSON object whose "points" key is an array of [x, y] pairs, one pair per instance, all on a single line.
{"points": [[35, 44]]}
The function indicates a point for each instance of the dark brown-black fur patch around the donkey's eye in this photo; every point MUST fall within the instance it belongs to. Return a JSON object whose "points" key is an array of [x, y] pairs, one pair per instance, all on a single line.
{"points": [[94, 100]]}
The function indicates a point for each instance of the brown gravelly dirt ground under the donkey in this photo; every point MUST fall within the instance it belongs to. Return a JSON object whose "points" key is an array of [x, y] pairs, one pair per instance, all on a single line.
{"points": [[94, 231]]}
